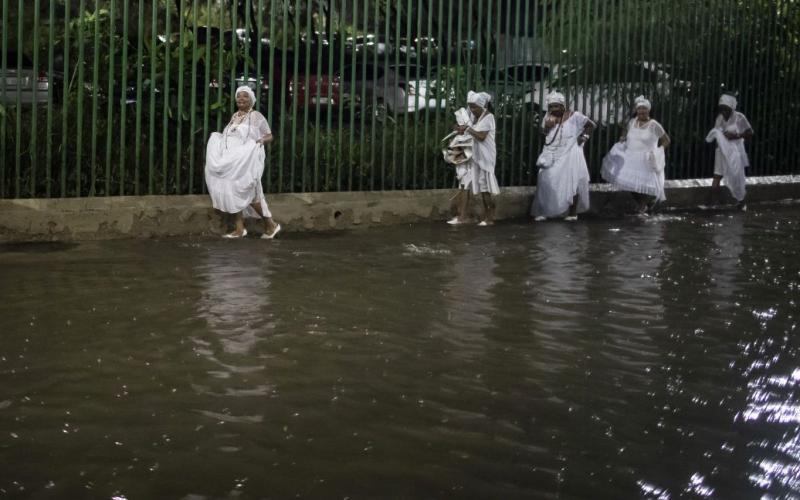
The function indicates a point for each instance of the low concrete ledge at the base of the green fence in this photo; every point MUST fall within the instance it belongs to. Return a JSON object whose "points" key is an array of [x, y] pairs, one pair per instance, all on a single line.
{"points": [[154, 216]]}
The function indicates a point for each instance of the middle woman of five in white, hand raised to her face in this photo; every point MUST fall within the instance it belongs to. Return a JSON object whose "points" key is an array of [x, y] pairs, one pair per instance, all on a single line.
{"points": [[563, 181]]}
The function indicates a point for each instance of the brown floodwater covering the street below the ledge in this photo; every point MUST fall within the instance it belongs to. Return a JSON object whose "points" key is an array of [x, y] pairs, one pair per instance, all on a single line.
{"points": [[609, 358]]}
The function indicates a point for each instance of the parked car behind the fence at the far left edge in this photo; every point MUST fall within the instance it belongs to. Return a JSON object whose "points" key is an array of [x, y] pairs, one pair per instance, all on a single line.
{"points": [[33, 85]]}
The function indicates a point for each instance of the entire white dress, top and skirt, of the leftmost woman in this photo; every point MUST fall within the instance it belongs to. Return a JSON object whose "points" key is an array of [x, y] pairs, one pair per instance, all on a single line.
{"points": [[234, 165]]}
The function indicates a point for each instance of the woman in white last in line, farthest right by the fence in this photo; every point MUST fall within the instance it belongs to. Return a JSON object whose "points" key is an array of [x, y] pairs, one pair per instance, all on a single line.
{"points": [[730, 130]]}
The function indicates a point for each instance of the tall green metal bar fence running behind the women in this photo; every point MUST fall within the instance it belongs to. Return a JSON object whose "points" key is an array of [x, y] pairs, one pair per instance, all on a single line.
{"points": [[118, 97]]}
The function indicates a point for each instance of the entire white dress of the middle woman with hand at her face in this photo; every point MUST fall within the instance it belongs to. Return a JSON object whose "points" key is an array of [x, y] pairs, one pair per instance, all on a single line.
{"points": [[563, 173]]}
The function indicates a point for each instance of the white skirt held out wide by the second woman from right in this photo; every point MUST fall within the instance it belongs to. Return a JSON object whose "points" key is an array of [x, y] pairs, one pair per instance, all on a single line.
{"points": [[637, 171]]}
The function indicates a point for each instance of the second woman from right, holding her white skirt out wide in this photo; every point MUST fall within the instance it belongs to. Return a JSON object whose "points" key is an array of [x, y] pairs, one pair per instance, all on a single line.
{"points": [[636, 163]]}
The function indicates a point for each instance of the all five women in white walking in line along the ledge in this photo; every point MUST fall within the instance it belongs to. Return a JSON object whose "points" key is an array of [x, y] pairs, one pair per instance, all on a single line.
{"points": [[235, 160]]}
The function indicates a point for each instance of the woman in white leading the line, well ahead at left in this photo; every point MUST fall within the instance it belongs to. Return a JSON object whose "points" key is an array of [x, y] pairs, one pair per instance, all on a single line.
{"points": [[235, 163]]}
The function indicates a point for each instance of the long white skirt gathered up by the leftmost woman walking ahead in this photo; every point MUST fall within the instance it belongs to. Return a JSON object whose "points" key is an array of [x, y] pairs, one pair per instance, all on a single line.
{"points": [[233, 176]]}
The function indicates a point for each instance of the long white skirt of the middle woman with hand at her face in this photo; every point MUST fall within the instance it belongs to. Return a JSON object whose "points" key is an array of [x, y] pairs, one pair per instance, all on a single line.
{"points": [[558, 185]]}
